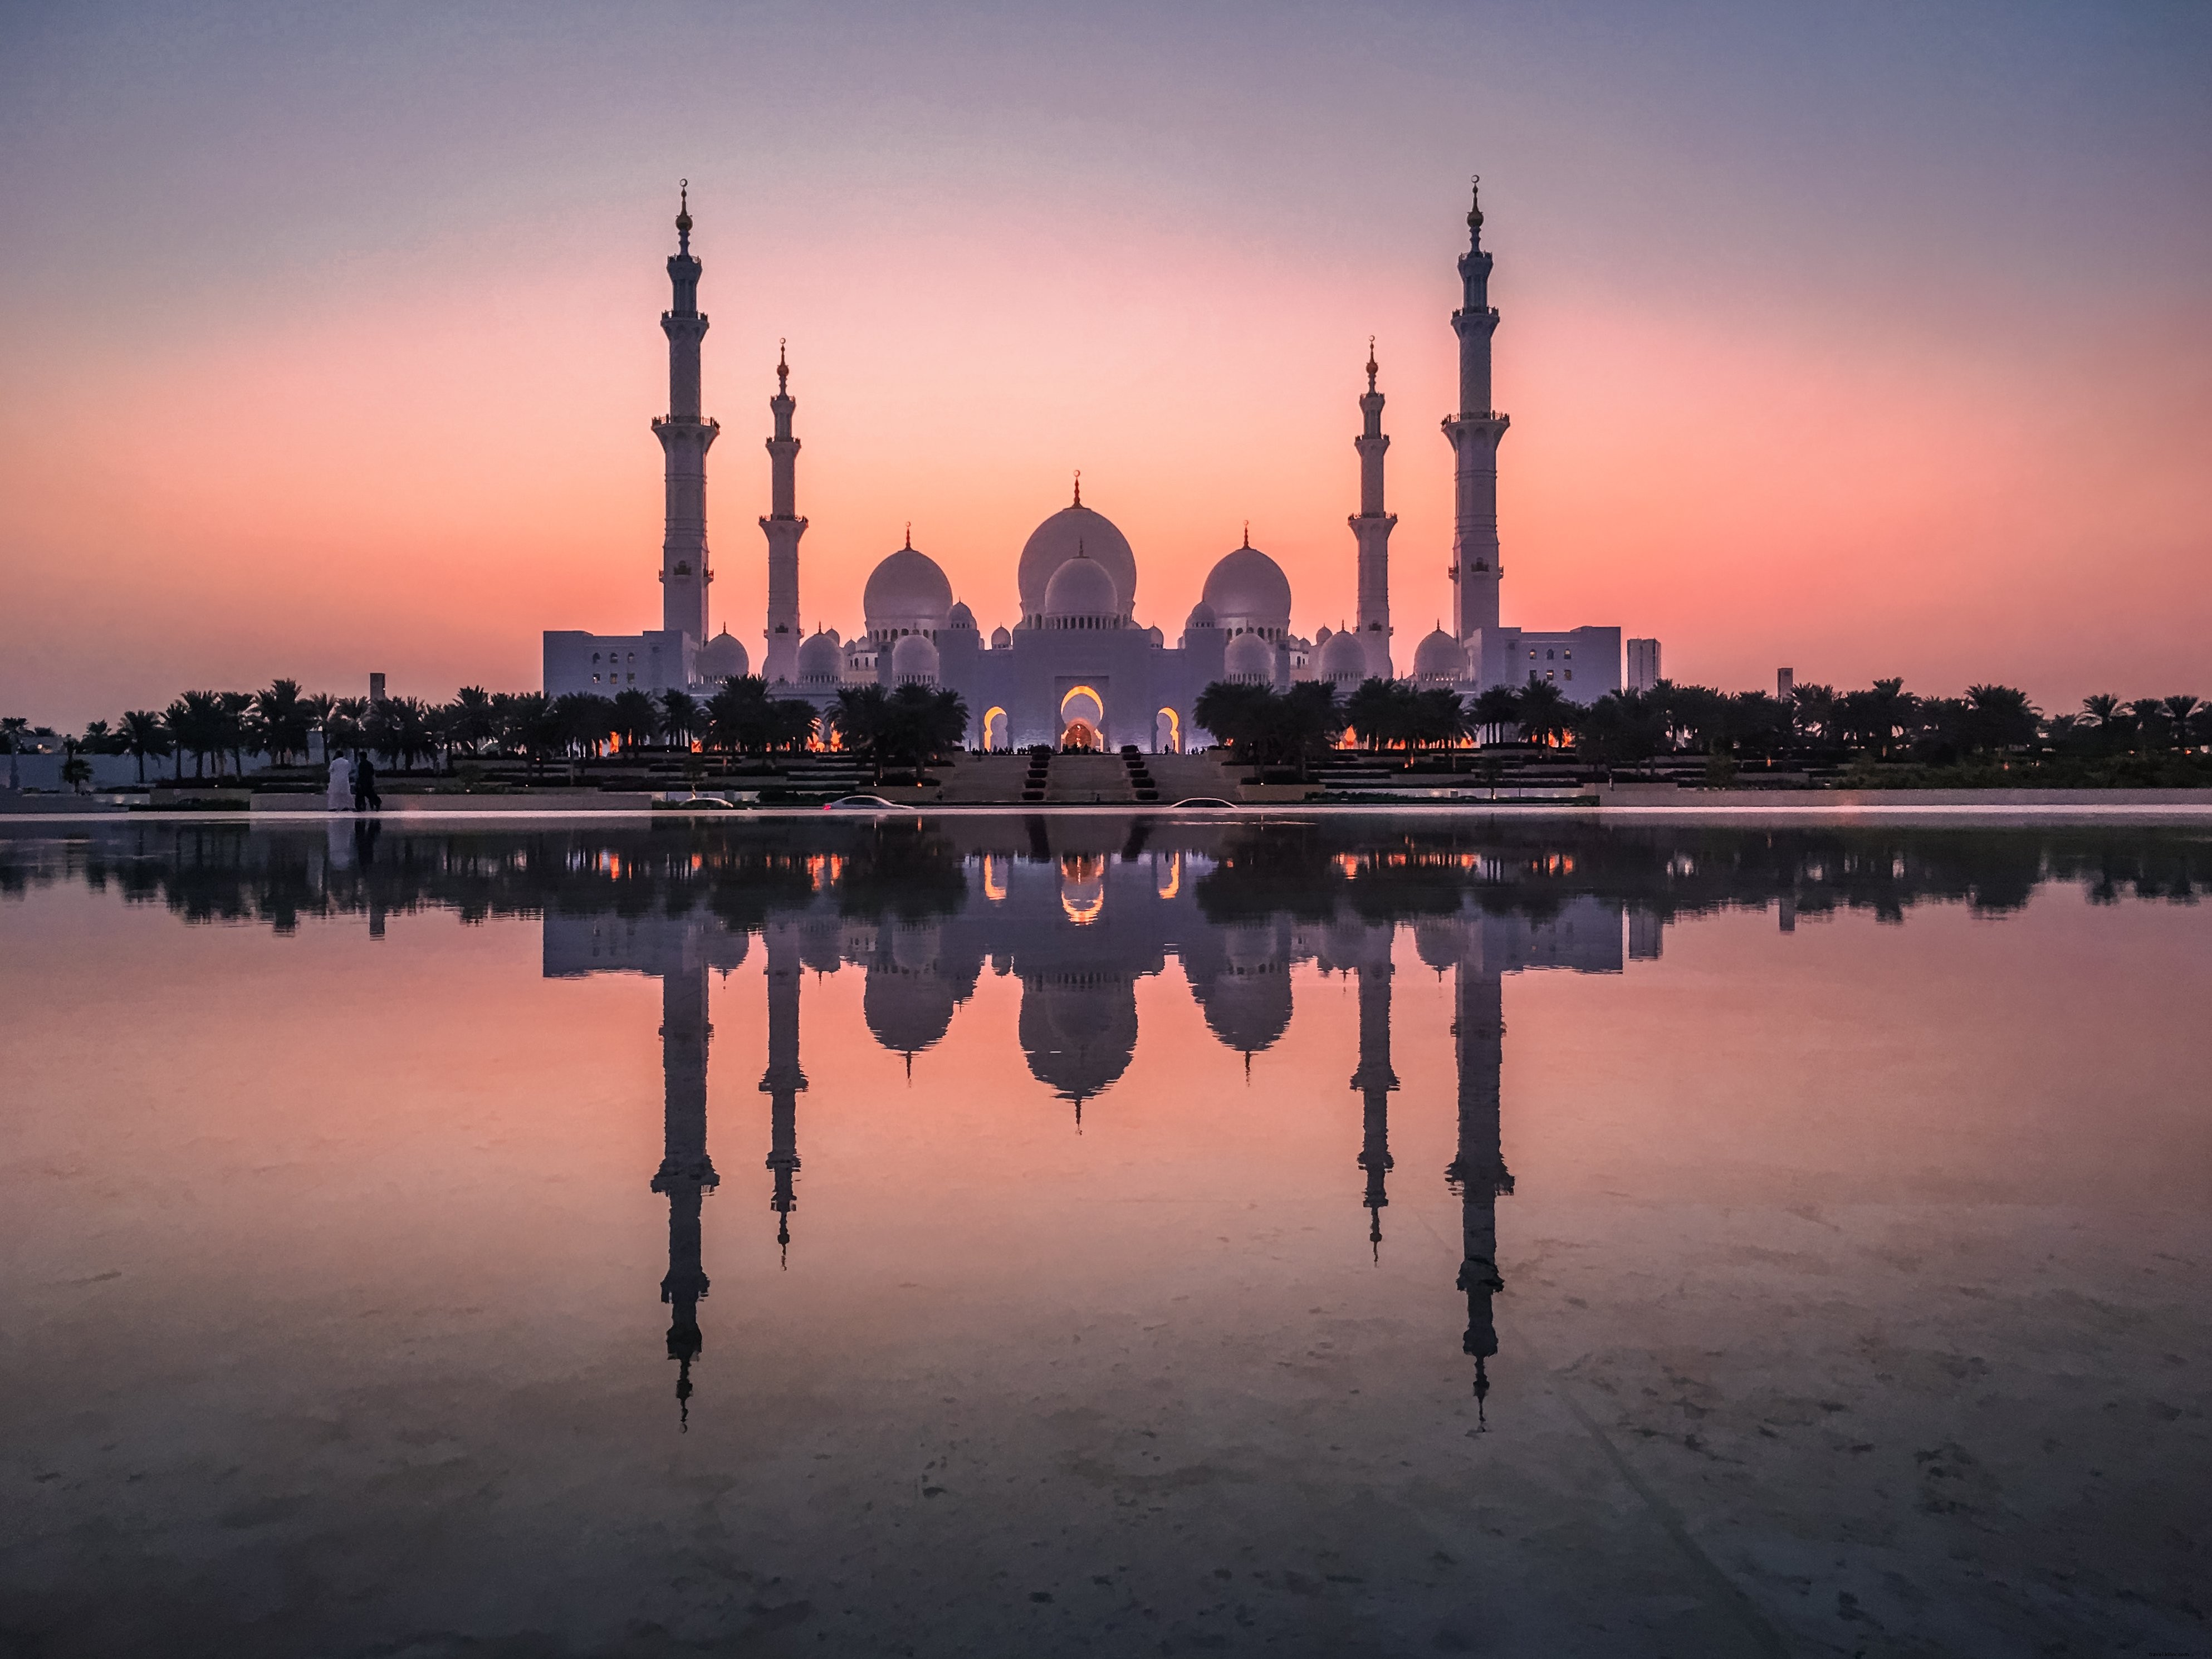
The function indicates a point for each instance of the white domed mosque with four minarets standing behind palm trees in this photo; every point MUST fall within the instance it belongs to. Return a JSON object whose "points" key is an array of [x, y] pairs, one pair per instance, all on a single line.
{"points": [[1076, 667]]}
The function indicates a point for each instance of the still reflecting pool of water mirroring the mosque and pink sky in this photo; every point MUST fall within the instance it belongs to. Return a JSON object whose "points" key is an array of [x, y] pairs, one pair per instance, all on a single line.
{"points": [[1105, 1235]]}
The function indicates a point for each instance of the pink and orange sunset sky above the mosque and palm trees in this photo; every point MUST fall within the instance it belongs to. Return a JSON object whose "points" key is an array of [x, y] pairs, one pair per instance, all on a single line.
{"points": [[1861, 340]]}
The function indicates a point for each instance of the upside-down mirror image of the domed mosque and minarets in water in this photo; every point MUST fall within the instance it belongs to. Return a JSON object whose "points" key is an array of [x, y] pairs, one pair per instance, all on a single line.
{"points": [[1078, 928]]}
